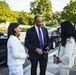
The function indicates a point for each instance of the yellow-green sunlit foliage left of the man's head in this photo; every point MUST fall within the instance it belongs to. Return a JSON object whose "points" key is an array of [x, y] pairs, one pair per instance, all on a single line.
{"points": [[13, 16]]}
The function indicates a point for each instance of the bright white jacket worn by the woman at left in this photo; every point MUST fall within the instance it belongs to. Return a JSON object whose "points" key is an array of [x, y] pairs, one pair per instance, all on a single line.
{"points": [[15, 51]]}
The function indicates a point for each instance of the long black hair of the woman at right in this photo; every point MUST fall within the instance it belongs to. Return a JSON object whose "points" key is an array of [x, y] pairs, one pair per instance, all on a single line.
{"points": [[67, 30]]}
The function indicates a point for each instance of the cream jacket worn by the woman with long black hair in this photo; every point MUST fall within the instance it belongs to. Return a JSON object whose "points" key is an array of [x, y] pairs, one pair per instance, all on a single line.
{"points": [[67, 53]]}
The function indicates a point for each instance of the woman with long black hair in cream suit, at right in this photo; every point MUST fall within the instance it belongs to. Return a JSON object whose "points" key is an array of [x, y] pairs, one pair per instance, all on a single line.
{"points": [[67, 48]]}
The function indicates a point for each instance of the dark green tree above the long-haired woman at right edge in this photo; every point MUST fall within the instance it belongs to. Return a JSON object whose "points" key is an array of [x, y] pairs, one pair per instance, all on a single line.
{"points": [[69, 12]]}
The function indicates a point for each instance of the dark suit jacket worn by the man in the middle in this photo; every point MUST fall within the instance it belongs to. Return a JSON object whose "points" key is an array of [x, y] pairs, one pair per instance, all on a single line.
{"points": [[32, 42]]}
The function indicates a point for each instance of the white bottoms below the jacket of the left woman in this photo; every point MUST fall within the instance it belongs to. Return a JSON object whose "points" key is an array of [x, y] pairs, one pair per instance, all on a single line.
{"points": [[15, 70]]}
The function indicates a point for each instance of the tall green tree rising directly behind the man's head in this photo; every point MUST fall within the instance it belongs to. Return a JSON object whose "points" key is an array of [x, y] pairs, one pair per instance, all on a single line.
{"points": [[43, 8]]}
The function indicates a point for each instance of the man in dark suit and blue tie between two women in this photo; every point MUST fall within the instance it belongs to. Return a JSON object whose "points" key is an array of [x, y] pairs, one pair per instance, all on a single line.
{"points": [[37, 42]]}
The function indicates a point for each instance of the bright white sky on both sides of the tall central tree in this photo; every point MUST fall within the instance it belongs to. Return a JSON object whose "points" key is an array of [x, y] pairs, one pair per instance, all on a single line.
{"points": [[24, 5]]}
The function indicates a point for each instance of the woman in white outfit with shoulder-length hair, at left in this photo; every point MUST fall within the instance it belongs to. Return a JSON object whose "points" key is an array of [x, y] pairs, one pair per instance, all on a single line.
{"points": [[16, 53]]}
